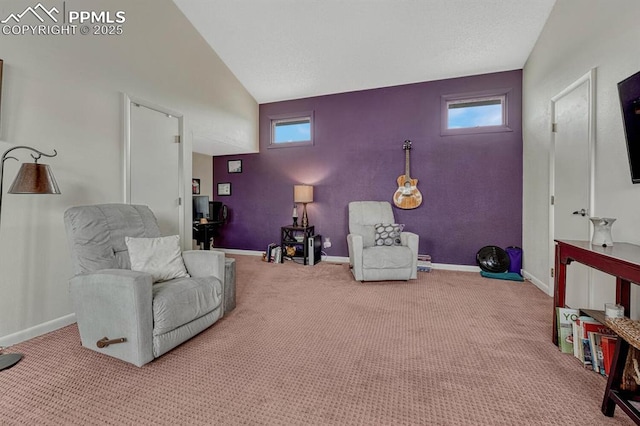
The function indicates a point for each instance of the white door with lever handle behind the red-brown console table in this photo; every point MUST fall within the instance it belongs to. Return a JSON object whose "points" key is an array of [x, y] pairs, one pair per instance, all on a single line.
{"points": [[572, 179]]}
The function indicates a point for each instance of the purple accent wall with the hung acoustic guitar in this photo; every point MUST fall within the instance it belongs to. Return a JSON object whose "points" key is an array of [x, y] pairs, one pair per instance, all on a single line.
{"points": [[471, 184]]}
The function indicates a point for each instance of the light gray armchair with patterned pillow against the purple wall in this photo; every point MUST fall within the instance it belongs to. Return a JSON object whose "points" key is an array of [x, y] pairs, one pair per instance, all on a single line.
{"points": [[371, 262]]}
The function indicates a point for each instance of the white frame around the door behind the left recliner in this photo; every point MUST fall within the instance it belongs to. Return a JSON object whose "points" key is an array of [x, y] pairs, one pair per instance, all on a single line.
{"points": [[183, 164]]}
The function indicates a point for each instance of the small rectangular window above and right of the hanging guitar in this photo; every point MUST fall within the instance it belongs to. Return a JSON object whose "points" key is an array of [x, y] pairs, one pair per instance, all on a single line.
{"points": [[474, 114]]}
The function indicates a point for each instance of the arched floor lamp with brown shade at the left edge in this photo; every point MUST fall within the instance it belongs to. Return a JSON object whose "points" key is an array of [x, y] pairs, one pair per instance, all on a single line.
{"points": [[32, 178]]}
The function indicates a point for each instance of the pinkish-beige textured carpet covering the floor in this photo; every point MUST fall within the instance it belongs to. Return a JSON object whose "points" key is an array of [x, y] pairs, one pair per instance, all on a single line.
{"points": [[308, 345]]}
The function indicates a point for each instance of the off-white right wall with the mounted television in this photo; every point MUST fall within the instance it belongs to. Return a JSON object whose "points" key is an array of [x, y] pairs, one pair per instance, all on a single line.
{"points": [[580, 35]]}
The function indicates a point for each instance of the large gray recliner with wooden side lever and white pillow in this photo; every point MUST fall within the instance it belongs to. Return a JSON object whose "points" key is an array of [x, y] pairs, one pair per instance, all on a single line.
{"points": [[121, 312]]}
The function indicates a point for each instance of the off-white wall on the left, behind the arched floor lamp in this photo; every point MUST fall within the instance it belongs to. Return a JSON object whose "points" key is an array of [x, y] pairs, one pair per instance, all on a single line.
{"points": [[64, 93]]}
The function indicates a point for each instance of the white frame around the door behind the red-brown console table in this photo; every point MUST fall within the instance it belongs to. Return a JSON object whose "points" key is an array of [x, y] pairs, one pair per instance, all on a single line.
{"points": [[590, 79]]}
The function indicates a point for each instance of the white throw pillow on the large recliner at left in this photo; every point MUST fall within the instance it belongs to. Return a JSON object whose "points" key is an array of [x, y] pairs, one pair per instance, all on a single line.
{"points": [[161, 257]]}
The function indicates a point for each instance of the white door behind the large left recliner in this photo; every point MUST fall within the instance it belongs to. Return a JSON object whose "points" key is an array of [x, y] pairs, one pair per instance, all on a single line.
{"points": [[154, 165]]}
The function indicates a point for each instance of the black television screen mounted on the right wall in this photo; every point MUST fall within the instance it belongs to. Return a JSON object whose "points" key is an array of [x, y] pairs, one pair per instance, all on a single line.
{"points": [[629, 94]]}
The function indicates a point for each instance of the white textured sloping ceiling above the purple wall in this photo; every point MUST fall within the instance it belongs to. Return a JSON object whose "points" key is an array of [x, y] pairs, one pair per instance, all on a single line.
{"points": [[290, 49]]}
